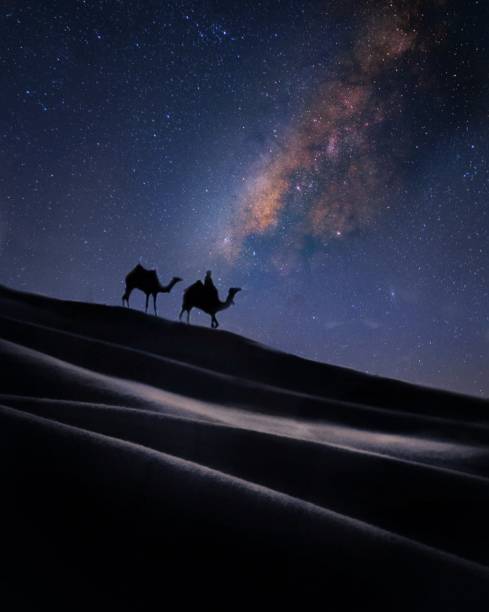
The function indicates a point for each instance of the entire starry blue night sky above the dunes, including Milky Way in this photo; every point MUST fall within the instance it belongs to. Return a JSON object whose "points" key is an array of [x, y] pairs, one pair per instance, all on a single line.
{"points": [[329, 157]]}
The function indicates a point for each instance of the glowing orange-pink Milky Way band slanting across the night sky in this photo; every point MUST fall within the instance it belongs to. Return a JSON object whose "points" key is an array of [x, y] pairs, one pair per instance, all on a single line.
{"points": [[333, 173]]}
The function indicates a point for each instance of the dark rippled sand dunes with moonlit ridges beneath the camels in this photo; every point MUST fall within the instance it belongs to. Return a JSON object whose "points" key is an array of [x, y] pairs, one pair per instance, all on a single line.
{"points": [[148, 464]]}
